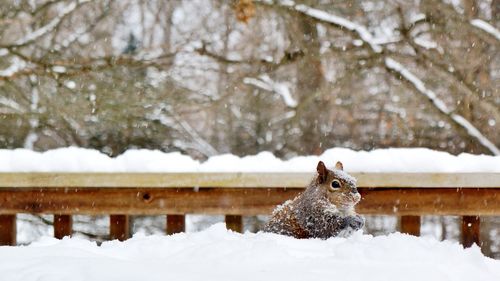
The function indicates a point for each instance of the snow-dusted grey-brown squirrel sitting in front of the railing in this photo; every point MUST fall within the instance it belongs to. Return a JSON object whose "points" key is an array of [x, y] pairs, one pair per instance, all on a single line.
{"points": [[325, 209]]}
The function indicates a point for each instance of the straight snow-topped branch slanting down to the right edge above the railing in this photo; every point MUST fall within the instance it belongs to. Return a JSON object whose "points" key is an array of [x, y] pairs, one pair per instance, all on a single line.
{"points": [[440, 105]]}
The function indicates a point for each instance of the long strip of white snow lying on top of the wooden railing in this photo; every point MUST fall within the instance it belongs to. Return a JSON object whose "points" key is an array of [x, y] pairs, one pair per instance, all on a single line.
{"points": [[74, 159]]}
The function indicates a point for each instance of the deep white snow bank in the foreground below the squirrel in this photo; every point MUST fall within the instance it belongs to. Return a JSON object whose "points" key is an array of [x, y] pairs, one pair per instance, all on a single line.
{"points": [[218, 254]]}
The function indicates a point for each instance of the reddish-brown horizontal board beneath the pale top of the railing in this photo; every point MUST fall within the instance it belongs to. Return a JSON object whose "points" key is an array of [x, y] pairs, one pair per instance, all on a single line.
{"points": [[240, 201]]}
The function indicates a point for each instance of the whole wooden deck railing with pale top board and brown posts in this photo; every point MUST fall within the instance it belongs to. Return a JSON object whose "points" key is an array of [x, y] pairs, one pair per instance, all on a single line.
{"points": [[409, 195]]}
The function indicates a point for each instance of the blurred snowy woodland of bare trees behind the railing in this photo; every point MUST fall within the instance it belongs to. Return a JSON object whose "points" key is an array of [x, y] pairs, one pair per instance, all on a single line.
{"points": [[289, 78]]}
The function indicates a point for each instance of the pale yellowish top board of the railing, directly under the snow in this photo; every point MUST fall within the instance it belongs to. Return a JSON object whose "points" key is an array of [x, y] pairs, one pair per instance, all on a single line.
{"points": [[237, 180]]}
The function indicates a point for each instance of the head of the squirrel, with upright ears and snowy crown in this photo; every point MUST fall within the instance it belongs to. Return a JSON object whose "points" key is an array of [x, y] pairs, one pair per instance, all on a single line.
{"points": [[338, 186]]}
